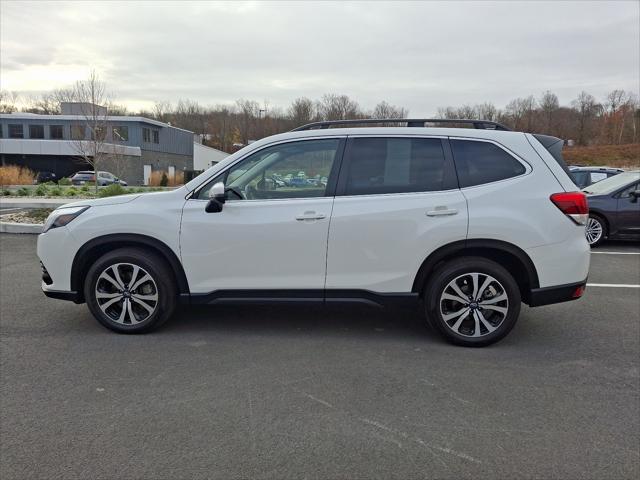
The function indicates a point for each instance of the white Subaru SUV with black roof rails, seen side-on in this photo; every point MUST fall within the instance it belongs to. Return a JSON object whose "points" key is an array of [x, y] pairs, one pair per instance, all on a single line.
{"points": [[466, 222]]}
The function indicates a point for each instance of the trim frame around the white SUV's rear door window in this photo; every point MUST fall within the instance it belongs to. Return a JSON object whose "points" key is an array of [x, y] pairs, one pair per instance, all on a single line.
{"points": [[448, 157]]}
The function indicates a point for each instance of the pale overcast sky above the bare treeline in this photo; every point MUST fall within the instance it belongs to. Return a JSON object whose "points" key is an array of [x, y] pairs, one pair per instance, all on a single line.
{"points": [[419, 55]]}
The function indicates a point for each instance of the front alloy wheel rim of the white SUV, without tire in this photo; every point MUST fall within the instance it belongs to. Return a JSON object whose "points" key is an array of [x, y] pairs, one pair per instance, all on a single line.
{"points": [[126, 293]]}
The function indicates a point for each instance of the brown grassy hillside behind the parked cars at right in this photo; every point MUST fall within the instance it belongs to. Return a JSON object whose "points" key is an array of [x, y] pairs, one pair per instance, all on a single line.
{"points": [[623, 156]]}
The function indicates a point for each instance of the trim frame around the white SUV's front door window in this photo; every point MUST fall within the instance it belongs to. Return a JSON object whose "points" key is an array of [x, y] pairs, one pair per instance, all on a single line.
{"points": [[332, 180]]}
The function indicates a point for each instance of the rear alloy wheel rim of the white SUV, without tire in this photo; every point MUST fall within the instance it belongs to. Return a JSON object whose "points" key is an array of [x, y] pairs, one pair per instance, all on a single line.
{"points": [[474, 304]]}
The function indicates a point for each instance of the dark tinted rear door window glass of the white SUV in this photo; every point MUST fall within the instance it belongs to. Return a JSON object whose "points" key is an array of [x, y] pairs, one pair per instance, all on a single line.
{"points": [[396, 165]]}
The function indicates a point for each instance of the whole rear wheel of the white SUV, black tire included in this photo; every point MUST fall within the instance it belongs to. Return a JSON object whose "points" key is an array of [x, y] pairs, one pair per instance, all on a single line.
{"points": [[482, 320]]}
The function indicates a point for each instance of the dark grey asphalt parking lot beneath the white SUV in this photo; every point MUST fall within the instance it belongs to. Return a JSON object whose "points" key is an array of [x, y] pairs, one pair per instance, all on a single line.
{"points": [[299, 392]]}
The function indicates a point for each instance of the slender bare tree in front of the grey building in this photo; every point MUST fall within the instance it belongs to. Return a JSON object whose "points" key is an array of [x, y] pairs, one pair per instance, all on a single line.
{"points": [[89, 134]]}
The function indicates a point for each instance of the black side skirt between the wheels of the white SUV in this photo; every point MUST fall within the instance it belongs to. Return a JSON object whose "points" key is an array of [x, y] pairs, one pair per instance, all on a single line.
{"points": [[302, 296]]}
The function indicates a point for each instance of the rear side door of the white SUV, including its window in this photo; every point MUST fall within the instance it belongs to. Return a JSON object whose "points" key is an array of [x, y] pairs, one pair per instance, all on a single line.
{"points": [[397, 201]]}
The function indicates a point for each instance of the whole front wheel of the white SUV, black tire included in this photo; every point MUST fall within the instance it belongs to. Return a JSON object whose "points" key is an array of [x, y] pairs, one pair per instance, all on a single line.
{"points": [[109, 296]]}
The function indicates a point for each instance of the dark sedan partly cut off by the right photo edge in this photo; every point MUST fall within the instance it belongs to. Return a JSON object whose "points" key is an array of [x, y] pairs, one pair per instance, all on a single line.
{"points": [[614, 208]]}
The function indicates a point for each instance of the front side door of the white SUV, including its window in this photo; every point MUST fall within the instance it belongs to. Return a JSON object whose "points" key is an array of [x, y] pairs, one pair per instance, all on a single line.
{"points": [[268, 235]]}
